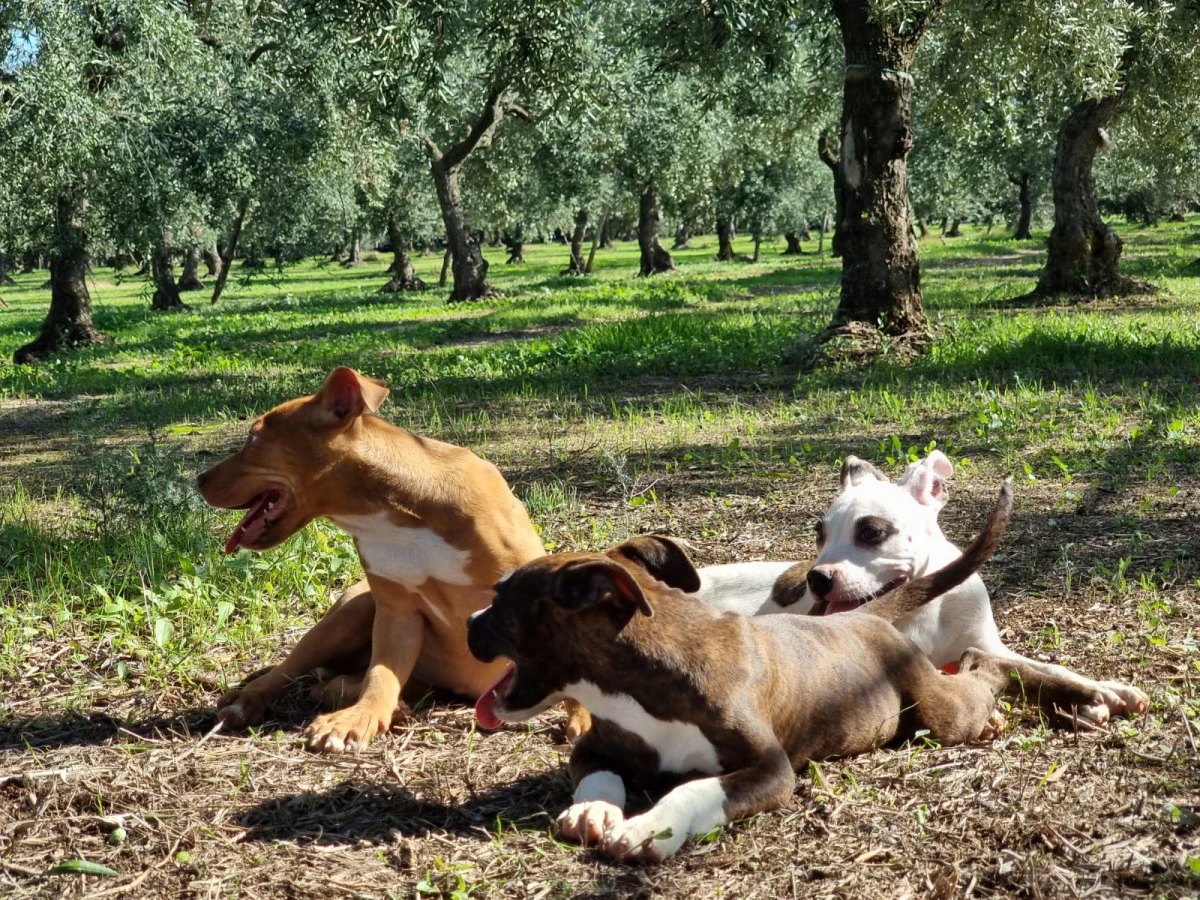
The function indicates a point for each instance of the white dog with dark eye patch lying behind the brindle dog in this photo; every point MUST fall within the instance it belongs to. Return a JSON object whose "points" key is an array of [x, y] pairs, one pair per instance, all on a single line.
{"points": [[875, 537]]}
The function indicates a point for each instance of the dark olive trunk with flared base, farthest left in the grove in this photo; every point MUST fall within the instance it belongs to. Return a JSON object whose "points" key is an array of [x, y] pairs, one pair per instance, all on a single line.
{"points": [[69, 321]]}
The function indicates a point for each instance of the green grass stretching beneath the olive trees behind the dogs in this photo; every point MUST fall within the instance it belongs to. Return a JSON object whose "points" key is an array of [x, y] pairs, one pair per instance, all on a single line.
{"points": [[104, 541]]}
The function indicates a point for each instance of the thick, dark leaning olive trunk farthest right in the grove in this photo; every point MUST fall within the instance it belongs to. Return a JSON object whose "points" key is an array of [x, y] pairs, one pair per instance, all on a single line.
{"points": [[1085, 254]]}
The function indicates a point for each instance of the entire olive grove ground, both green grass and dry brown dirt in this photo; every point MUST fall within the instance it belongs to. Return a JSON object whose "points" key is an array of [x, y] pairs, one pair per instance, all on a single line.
{"points": [[615, 406]]}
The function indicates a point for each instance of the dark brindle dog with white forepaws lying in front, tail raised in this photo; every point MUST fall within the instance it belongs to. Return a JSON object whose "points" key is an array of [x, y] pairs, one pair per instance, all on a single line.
{"points": [[676, 688]]}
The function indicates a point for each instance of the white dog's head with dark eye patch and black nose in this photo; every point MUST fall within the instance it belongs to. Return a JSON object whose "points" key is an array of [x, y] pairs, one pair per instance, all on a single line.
{"points": [[878, 536]]}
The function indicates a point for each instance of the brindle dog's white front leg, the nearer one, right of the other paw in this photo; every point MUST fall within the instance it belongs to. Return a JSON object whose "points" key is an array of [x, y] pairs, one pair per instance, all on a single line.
{"points": [[694, 808]]}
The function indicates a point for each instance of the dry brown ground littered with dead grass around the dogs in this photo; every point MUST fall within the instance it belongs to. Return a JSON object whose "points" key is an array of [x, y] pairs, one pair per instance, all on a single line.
{"points": [[439, 809]]}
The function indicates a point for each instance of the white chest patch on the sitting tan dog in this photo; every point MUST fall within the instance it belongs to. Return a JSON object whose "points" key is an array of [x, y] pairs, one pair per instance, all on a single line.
{"points": [[406, 556]]}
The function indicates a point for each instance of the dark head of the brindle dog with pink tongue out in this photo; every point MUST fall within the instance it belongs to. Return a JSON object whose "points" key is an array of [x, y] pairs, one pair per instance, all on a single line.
{"points": [[553, 615]]}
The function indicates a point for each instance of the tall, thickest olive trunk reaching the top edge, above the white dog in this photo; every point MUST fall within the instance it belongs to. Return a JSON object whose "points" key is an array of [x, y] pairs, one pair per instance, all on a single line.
{"points": [[881, 269]]}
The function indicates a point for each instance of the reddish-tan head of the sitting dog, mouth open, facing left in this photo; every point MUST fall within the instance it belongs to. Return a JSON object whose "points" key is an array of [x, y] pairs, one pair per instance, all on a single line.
{"points": [[278, 476]]}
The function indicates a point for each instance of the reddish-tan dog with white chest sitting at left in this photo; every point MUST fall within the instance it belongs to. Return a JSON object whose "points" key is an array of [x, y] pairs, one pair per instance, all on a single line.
{"points": [[435, 527]]}
